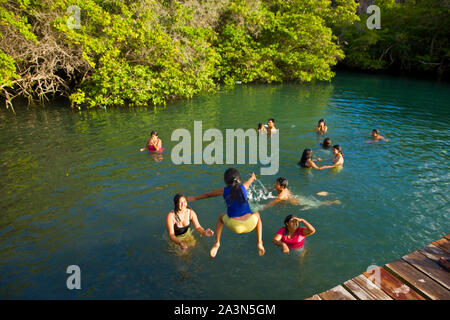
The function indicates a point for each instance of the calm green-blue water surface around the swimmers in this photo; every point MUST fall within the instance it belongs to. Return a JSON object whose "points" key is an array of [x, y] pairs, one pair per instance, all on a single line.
{"points": [[76, 190]]}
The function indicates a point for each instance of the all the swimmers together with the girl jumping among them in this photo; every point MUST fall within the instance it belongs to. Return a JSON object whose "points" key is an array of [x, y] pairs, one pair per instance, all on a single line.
{"points": [[239, 217]]}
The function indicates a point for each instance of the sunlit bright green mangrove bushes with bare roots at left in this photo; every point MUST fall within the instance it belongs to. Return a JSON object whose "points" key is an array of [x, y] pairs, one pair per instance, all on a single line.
{"points": [[132, 52]]}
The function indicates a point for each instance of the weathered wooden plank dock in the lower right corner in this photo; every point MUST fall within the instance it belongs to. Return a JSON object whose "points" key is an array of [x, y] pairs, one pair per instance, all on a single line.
{"points": [[416, 276]]}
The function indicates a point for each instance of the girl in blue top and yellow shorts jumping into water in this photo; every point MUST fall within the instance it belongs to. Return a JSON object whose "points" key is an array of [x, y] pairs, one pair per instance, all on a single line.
{"points": [[239, 218]]}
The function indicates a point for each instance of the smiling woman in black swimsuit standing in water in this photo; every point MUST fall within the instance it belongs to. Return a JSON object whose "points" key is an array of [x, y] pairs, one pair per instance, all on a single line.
{"points": [[178, 222]]}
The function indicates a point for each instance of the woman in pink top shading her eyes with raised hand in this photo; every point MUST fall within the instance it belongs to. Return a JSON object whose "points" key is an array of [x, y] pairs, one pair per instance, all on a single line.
{"points": [[292, 235]]}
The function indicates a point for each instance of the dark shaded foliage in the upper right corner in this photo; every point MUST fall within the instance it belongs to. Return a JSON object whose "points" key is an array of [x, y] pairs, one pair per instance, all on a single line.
{"points": [[414, 38]]}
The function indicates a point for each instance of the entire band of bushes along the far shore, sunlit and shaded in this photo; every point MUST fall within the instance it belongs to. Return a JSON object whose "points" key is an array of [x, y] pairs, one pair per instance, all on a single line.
{"points": [[140, 52]]}
